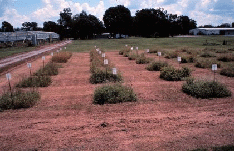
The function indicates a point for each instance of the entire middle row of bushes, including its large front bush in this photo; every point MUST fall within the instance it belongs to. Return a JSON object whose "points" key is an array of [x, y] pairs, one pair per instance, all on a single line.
{"points": [[110, 93]]}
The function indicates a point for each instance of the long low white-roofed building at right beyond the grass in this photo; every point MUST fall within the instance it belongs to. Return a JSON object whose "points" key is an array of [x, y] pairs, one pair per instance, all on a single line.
{"points": [[212, 31]]}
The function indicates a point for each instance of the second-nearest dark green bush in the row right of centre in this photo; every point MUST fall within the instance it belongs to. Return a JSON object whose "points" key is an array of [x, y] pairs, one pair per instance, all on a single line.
{"points": [[172, 74]]}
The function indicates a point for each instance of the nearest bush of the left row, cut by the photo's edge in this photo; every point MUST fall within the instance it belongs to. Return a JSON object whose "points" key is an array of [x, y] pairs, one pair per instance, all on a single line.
{"points": [[18, 100]]}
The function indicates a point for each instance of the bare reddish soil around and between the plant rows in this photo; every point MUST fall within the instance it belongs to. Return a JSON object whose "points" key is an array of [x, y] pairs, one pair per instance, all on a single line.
{"points": [[164, 118]]}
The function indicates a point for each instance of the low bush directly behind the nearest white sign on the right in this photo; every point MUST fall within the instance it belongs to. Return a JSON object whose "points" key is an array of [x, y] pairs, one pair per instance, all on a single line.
{"points": [[206, 63]]}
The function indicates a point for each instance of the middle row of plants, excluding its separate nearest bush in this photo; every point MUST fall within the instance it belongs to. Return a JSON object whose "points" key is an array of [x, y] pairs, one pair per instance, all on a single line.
{"points": [[99, 72]]}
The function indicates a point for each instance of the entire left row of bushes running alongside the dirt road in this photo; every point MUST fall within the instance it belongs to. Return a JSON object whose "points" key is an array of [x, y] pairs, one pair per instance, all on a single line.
{"points": [[17, 98]]}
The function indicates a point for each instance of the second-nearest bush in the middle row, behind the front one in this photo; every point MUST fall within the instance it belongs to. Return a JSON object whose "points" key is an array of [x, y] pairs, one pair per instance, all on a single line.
{"points": [[100, 76]]}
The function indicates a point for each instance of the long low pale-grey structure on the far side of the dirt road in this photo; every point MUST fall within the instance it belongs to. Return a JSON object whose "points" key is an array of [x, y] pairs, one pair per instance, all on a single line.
{"points": [[33, 36]]}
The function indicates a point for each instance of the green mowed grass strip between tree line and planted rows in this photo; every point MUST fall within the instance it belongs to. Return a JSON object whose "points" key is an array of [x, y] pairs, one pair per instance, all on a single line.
{"points": [[151, 43]]}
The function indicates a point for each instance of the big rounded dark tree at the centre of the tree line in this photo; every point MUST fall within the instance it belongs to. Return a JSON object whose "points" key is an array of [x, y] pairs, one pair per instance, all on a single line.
{"points": [[118, 20]]}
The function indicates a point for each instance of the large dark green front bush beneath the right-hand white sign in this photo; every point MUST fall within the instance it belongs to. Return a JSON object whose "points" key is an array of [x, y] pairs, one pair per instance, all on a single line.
{"points": [[205, 89]]}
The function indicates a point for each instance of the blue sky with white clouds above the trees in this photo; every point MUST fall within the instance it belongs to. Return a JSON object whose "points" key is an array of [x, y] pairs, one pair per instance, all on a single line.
{"points": [[205, 12]]}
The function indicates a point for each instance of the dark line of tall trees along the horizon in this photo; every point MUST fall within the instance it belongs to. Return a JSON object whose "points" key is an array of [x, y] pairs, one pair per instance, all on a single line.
{"points": [[116, 20]]}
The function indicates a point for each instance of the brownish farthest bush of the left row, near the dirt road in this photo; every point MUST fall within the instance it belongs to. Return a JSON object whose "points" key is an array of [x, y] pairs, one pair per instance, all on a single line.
{"points": [[61, 57]]}
